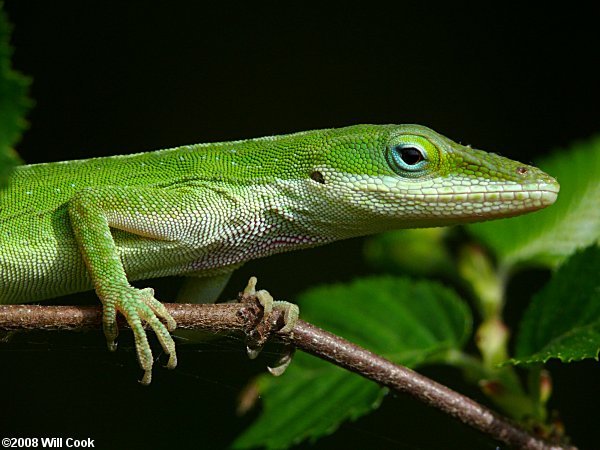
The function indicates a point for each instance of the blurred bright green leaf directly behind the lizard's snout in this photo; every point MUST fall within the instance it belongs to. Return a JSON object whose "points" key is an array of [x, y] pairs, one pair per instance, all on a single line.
{"points": [[548, 237]]}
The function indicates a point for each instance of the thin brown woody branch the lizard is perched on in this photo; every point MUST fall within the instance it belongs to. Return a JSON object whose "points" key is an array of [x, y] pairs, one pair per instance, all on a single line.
{"points": [[246, 317]]}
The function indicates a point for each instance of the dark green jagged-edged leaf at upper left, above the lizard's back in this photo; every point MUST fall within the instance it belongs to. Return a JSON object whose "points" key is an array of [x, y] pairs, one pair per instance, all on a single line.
{"points": [[14, 102]]}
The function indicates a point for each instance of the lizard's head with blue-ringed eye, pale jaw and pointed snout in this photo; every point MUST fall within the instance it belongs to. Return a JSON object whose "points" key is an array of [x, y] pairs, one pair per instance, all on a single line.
{"points": [[411, 176]]}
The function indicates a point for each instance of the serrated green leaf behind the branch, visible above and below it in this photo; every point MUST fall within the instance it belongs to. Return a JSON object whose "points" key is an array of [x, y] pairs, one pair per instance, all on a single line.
{"points": [[409, 322]]}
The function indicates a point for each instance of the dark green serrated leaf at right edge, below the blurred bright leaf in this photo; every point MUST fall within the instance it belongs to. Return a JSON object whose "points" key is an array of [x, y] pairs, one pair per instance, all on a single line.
{"points": [[563, 320]]}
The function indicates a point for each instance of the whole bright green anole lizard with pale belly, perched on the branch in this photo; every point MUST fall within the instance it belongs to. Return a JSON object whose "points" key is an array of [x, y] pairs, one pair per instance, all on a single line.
{"points": [[203, 210]]}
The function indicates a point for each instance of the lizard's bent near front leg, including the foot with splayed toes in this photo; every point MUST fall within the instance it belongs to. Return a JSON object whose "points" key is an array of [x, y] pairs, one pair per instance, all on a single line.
{"points": [[144, 212]]}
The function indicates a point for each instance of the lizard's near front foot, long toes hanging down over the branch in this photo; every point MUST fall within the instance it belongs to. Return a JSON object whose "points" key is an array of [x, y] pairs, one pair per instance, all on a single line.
{"points": [[139, 305]]}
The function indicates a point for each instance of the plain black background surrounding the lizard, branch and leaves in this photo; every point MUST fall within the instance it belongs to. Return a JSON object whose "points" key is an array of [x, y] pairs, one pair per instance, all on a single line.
{"points": [[114, 78]]}
